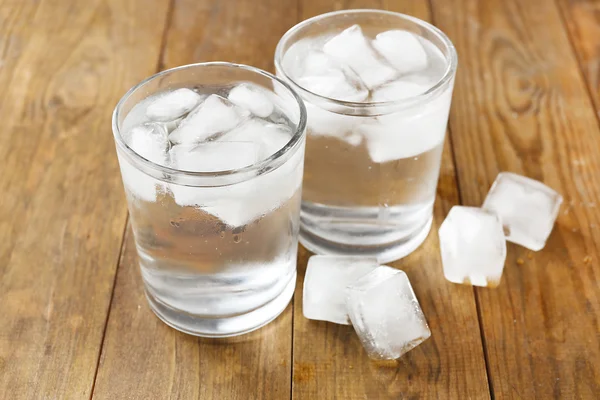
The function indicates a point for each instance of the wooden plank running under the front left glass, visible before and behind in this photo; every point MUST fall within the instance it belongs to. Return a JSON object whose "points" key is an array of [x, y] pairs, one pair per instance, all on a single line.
{"points": [[142, 357]]}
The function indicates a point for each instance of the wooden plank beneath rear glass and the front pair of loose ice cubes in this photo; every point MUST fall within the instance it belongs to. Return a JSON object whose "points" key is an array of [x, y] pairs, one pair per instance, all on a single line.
{"points": [[329, 361]]}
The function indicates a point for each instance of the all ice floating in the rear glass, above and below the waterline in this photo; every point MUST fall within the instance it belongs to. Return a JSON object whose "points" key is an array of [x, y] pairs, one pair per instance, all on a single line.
{"points": [[394, 65]]}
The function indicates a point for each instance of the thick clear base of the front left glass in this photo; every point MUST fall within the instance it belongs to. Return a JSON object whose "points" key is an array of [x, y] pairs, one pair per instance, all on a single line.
{"points": [[223, 327]]}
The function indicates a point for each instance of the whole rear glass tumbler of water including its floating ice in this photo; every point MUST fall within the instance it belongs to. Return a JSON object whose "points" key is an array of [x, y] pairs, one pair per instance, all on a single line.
{"points": [[373, 159]]}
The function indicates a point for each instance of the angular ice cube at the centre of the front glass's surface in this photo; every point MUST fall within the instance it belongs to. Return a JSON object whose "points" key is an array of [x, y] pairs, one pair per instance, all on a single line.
{"points": [[214, 116]]}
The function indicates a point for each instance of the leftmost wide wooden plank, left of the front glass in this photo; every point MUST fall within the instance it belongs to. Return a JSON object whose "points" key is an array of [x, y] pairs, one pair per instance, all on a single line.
{"points": [[64, 67]]}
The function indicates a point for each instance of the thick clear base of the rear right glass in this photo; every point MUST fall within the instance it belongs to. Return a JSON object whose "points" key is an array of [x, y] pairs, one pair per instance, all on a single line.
{"points": [[365, 231]]}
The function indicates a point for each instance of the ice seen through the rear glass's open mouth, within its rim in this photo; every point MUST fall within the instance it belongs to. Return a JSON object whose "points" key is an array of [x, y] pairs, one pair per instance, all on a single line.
{"points": [[350, 66]]}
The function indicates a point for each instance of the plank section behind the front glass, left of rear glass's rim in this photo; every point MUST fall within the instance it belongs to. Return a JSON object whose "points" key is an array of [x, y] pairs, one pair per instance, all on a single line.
{"points": [[240, 31]]}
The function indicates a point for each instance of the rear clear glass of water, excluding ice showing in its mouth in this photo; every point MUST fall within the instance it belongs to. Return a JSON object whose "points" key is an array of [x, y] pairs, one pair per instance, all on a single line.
{"points": [[354, 203]]}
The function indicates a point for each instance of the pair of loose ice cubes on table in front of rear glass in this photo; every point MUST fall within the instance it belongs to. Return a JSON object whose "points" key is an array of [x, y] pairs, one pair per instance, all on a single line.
{"points": [[377, 300]]}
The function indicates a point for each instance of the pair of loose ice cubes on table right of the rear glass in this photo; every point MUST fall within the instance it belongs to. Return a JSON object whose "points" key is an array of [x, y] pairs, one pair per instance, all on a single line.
{"points": [[473, 240]]}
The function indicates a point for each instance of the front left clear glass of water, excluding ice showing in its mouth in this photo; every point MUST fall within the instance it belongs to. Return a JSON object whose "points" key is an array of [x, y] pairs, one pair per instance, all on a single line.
{"points": [[202, 276]]}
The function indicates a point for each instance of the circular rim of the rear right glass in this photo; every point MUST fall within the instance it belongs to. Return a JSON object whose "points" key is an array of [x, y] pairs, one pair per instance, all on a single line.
{"points": [[352, 106]]}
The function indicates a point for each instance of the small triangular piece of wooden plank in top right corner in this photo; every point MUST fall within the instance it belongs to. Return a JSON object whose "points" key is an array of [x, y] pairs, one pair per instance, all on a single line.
{"points": [[582, 18]]}
